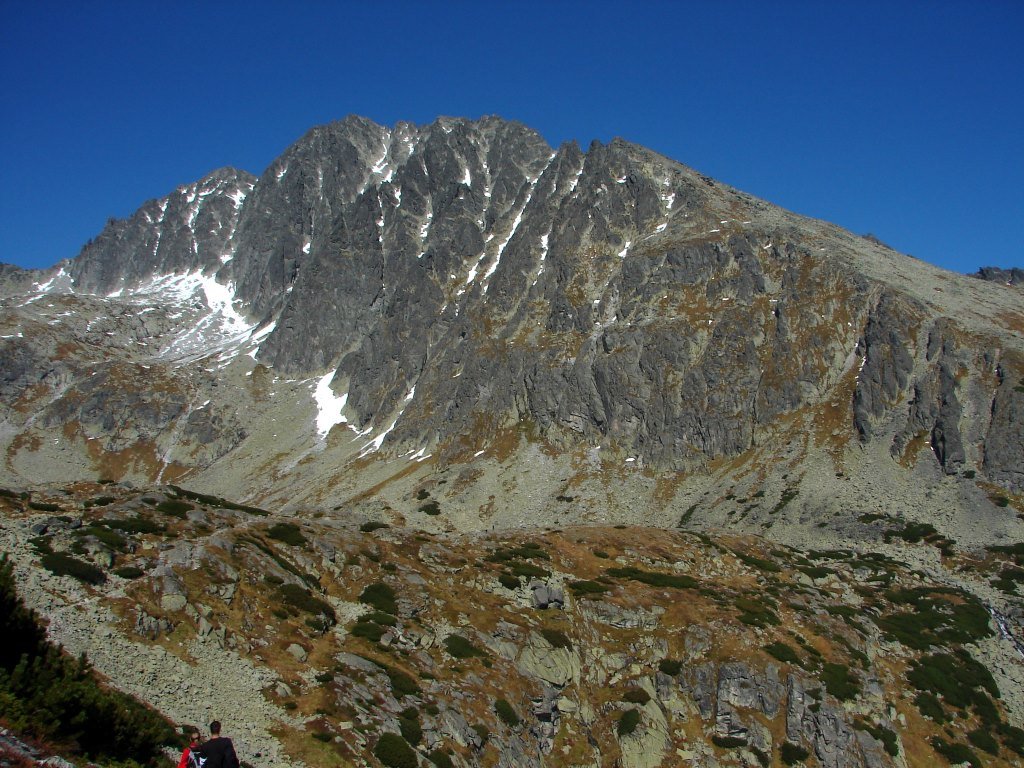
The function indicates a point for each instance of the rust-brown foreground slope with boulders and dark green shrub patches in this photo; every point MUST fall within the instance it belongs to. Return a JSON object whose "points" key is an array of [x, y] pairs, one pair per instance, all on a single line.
{"points": [[584, 647]]}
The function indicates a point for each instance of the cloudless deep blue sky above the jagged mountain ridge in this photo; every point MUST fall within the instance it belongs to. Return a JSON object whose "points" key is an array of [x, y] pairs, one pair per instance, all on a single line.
{"points": [[903, 119]]}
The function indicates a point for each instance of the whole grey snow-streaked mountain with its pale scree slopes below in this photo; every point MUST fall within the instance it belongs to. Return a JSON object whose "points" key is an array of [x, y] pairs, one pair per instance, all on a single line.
{"points": [[463, 296]]}
